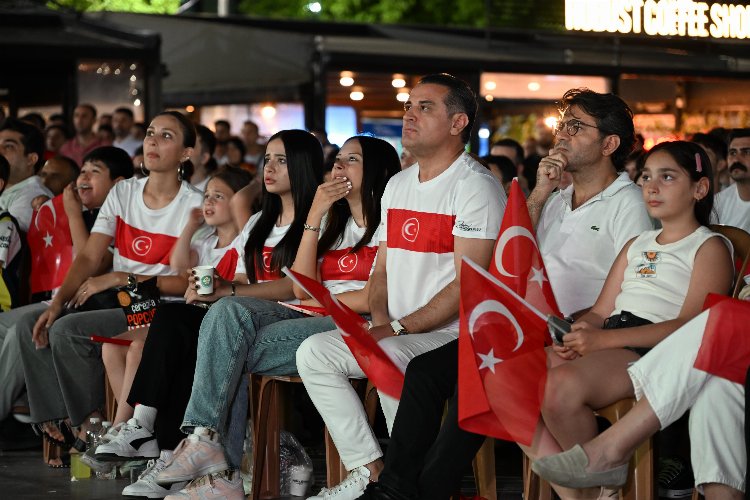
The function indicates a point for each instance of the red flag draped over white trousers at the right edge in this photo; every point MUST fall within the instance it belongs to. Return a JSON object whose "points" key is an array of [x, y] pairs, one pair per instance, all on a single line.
{"points": [[725, 349]]}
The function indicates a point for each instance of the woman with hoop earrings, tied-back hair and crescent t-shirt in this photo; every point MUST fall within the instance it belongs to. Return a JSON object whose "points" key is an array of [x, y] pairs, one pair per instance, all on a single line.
{"points": [[140, 219]]}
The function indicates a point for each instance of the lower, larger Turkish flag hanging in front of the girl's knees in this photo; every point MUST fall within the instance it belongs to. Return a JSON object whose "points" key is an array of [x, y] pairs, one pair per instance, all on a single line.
{"points": [[501, 352]]}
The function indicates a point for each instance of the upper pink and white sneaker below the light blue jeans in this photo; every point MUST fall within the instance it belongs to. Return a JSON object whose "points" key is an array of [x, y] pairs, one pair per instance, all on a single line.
{"points": [[197, 455]]}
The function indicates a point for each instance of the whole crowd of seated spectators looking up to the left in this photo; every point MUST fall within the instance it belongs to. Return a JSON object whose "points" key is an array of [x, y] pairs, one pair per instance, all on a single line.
{"points": [[102, 220]]}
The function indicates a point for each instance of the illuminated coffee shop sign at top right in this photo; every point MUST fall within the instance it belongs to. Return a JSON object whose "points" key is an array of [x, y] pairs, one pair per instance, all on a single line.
{"points": [[659, 18]]}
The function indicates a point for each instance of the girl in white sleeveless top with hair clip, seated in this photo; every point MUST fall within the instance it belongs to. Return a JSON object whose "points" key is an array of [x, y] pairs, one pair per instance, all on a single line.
{"points": [[590, 370]]}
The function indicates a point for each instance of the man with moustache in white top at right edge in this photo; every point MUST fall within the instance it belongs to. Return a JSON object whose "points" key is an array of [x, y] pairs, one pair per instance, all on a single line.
{"points": [[733, 203]]}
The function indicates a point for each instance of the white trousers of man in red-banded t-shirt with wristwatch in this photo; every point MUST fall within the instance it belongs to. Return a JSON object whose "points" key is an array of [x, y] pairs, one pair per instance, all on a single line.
{"points": [[325, 364]]}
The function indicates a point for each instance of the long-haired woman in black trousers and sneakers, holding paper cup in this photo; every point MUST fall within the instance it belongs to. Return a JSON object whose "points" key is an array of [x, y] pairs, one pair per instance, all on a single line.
{"points": [[161, 388]]}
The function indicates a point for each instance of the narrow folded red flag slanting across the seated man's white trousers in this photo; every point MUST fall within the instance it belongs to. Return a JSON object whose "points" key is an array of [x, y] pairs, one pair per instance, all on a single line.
{"points": [[376, 364]]}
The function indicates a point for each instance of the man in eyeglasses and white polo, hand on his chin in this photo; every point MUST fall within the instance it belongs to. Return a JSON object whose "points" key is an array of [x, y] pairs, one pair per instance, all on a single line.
{"points": [[582, 228]]}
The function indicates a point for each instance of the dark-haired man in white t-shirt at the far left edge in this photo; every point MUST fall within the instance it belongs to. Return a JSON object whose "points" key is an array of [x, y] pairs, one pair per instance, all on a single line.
{"points": [[22, 144]]}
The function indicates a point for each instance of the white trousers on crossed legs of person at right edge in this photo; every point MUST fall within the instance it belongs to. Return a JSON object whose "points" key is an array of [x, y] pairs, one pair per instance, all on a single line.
{"points": [[667, 378]]}
